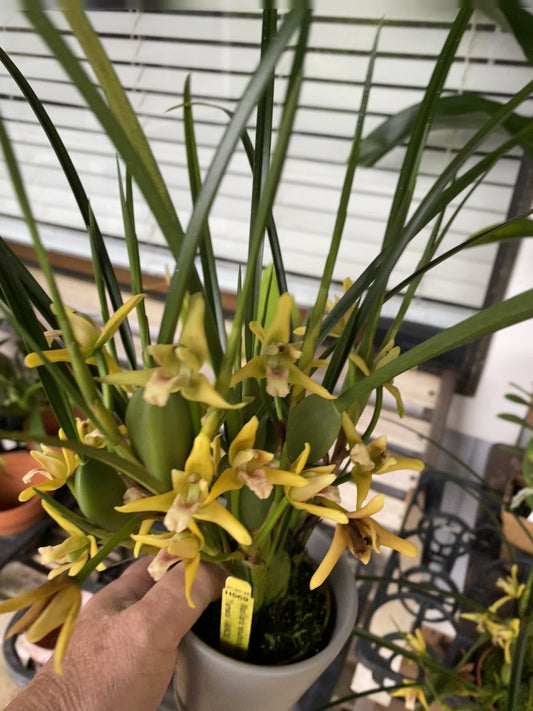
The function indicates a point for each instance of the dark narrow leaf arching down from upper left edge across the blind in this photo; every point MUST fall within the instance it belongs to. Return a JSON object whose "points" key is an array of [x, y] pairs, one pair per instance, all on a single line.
{"points": [[76, 186]]}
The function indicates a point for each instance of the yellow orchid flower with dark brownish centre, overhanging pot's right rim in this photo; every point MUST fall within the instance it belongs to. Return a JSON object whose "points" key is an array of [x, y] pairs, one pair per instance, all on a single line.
{"points": [[360, 536]]}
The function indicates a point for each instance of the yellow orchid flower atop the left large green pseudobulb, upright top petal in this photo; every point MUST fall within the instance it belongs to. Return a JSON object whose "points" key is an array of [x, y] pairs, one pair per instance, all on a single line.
{"points": [[178, 366]]}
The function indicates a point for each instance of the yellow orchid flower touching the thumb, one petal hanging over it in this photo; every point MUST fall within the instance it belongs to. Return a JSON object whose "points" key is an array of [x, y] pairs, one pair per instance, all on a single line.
{"points": [[185, 546]]}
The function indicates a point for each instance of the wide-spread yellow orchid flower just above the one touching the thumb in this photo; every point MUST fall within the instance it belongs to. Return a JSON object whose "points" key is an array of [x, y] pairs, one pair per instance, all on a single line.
{"points": [[189, 498]]}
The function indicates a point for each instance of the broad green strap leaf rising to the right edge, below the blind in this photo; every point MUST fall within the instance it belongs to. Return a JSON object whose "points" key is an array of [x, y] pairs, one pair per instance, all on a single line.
{"points": [[493, 318]]}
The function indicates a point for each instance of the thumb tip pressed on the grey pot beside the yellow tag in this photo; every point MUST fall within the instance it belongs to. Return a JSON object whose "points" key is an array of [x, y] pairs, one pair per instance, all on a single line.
{"points": [[166, 604]]}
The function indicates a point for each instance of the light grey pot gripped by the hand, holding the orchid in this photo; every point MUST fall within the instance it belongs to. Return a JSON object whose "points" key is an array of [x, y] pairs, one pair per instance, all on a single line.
{"points": [[205, 679]]}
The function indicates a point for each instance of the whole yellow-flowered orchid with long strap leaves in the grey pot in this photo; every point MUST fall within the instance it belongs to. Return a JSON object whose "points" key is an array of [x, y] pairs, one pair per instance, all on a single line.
{"points": [[239, 467]]}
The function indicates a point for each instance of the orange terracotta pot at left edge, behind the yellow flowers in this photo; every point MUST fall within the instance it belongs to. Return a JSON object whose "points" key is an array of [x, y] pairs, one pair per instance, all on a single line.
{"points": [[16, 516]]}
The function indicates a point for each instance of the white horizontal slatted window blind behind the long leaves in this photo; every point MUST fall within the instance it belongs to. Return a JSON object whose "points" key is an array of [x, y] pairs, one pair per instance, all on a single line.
{"points": [[154, 52]]}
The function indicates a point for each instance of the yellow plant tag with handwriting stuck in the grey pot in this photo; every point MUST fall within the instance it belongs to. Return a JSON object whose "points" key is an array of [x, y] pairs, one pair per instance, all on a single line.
{"points": [[236, 616]]}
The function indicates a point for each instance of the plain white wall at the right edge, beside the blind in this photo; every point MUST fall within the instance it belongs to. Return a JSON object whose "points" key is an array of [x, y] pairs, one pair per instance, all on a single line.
{"points": [[510, 359]]}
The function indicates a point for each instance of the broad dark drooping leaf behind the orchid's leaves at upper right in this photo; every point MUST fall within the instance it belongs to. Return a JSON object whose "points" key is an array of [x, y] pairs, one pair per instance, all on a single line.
{"points": [[468, 110]]}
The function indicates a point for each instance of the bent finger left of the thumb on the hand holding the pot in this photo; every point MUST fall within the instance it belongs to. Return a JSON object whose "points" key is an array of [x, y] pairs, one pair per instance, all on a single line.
{"points": [[126, 590]]}
